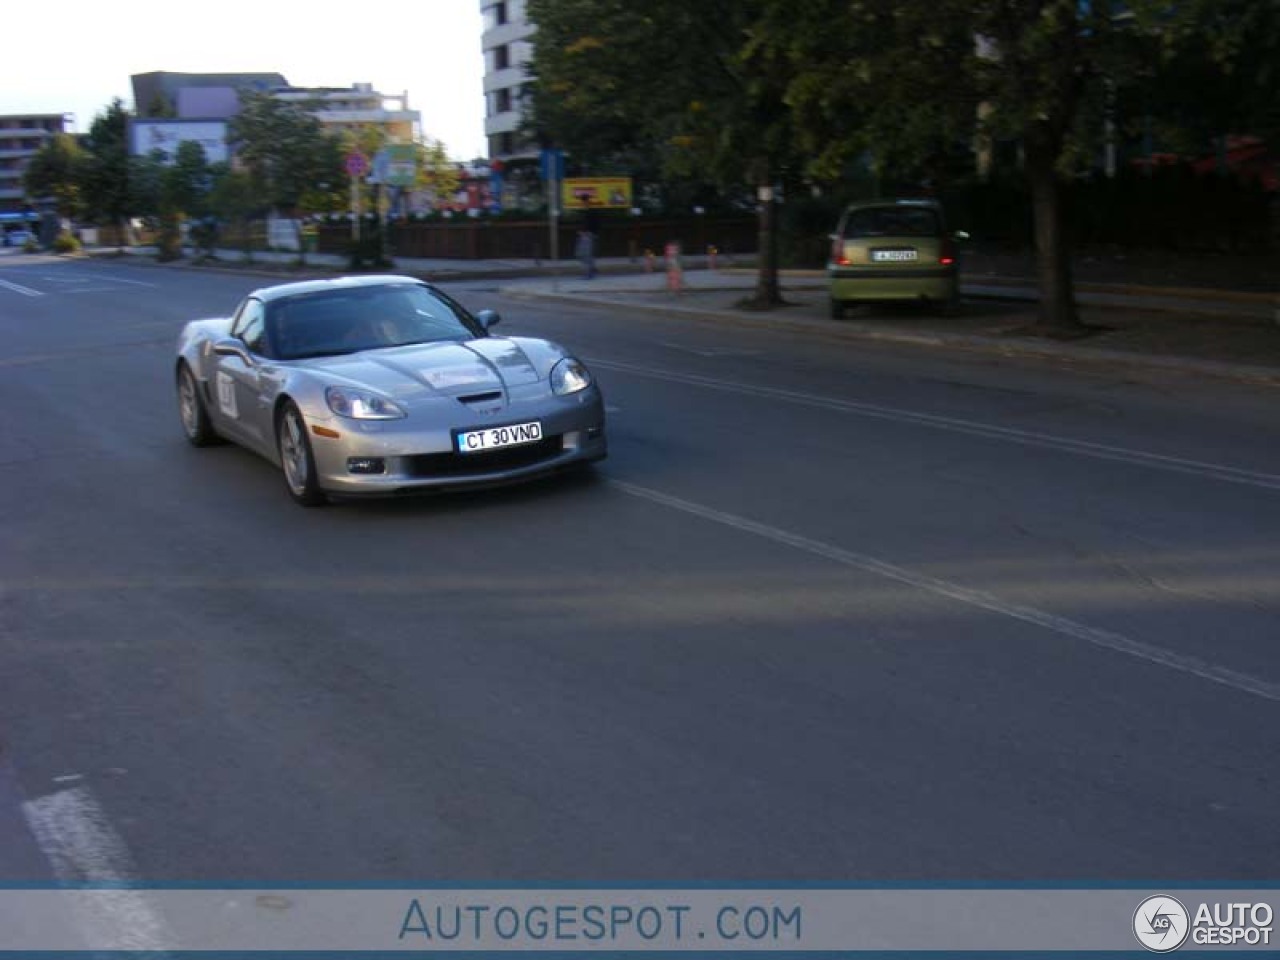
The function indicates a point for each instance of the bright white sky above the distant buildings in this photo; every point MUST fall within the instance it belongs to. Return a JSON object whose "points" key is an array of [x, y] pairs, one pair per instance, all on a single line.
{"points": [[76, 56]]}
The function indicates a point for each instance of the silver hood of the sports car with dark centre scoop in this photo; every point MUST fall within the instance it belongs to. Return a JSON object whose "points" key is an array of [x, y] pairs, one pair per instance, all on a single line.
{"points": [[446, 369]]}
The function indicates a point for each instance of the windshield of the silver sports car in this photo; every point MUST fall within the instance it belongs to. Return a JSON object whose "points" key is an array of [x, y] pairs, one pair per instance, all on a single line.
{"points": [[333, 323]]}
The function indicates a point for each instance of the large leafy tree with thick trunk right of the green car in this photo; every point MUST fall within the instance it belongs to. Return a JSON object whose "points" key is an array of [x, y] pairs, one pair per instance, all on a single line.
{"points": [[915, 74]]}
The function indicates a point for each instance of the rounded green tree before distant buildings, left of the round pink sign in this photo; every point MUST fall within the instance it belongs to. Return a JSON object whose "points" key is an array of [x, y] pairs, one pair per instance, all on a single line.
{"points": [[284, 148]]}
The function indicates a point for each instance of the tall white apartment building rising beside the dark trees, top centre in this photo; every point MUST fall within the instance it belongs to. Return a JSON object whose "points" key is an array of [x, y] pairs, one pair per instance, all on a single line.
{"points": [[508, 45]]}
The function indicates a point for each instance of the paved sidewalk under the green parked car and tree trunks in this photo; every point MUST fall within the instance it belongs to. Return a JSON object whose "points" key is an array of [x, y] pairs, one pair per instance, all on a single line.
{"points": [[1228, 337]]}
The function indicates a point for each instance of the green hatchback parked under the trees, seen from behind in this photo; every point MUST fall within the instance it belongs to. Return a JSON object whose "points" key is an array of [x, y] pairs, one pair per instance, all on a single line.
{"points": [[894, 250]]}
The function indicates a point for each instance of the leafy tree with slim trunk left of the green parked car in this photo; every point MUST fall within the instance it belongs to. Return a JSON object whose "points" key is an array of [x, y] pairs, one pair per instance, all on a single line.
{"points": [[616, 86]]}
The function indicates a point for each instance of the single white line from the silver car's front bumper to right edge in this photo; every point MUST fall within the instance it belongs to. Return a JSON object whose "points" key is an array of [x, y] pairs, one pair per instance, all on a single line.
{"points": [[1104, 639]]}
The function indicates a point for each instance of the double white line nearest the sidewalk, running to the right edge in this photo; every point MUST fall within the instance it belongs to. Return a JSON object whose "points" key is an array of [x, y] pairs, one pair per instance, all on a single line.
{"points": [[1027, 438]]}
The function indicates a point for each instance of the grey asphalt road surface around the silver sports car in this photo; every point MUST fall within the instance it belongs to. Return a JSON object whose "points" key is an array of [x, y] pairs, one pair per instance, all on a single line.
{"points": [[829, 612]]}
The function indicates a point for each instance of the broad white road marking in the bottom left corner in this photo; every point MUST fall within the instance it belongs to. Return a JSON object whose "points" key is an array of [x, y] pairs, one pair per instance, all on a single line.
{"points": [[84, 848]]}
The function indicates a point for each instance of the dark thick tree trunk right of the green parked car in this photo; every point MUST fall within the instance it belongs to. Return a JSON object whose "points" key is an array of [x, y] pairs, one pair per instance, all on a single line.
{"points": [[1058, 316]]}
